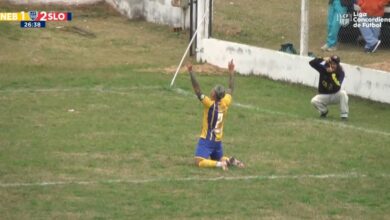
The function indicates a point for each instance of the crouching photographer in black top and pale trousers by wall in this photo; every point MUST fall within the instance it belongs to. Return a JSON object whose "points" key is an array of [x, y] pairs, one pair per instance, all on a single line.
{"points": [[329, 88]]}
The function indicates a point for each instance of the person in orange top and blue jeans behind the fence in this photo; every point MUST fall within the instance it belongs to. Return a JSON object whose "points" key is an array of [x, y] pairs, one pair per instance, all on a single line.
{"points": [[370, 30]]}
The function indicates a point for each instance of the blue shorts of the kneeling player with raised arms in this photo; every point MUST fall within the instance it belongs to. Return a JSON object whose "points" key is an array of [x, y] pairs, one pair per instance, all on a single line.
{"points": [[209, 149]]}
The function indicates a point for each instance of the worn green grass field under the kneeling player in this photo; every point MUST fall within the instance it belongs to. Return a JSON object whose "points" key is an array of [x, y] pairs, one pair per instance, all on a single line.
{"points": [[89, 129]]}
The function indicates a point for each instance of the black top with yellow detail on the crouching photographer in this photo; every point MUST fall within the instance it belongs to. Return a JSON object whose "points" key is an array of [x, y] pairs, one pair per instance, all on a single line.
{"points": [[329, 83]]}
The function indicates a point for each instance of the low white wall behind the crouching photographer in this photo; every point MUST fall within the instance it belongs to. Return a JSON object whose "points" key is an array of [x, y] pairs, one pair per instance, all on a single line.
{"points": [[363, 82]]}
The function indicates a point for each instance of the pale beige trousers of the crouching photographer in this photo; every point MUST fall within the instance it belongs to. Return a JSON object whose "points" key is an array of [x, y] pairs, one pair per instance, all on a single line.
{"points": [[321, 101]]}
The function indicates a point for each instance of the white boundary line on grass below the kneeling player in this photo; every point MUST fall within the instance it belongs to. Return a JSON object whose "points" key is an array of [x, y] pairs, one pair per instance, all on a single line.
{"points": [[197, 179]]}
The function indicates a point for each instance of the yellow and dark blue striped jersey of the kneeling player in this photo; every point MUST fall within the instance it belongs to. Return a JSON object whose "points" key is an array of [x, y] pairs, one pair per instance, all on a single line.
{"points": [[214, 115]]}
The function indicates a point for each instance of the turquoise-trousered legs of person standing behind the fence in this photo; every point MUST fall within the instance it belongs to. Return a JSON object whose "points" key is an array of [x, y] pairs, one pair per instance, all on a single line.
{"points": [[336, 11]]}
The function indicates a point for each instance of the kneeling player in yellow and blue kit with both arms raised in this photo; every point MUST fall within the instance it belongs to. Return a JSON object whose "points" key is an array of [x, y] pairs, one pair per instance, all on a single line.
{"points": [[209, 151]]}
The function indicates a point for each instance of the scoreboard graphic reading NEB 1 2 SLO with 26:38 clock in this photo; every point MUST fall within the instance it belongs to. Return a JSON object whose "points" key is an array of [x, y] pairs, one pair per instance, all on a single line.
{"points": [[35, 19]]}
